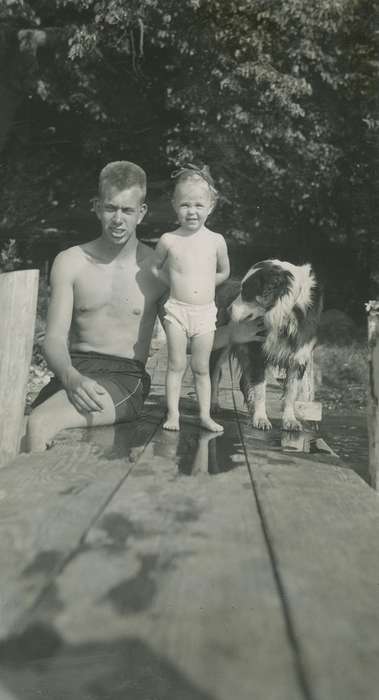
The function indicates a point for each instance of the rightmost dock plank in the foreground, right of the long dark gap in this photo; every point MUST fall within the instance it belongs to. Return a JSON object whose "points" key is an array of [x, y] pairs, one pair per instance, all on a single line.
{"points": [[322, 523]]}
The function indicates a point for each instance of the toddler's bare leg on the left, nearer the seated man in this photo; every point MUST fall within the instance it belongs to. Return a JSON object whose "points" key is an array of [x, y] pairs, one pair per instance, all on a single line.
{"points": [[176, 364]]}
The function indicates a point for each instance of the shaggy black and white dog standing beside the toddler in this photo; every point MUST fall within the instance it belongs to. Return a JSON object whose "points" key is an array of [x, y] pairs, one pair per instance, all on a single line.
{"points": [[289, 299]]}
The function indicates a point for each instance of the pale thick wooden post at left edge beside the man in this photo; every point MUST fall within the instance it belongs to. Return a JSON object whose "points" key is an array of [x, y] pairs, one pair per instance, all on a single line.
{"points": [[18, 299]]}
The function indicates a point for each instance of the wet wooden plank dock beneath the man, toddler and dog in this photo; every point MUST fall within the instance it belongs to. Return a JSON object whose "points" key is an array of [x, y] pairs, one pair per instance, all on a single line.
{"points": [[138, 564]]}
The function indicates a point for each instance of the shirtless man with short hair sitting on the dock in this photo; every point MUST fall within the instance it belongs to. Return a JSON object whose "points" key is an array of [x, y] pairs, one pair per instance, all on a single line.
{"points": [[103, 306]]}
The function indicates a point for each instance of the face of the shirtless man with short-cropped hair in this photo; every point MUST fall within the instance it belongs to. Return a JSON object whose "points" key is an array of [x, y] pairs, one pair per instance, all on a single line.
{"points": [[120, 212]]}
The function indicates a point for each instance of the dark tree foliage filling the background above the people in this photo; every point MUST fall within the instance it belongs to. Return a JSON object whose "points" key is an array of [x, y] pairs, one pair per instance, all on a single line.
{"points": [[279, 98]]}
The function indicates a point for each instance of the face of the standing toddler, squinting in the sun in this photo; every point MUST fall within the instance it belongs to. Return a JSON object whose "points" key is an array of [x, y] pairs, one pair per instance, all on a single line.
{"points": [[192, 203]]}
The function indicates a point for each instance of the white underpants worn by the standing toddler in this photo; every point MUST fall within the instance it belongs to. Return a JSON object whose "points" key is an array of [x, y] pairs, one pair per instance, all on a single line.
{"points": [[193, 319]]}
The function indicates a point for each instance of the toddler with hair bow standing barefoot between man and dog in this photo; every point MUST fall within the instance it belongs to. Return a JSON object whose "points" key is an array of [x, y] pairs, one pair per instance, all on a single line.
{"points": [[196, 260]]}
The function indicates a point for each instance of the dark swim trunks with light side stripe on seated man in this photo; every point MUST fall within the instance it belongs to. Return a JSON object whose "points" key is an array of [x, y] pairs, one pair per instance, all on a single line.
{"points": [[126, 381]]}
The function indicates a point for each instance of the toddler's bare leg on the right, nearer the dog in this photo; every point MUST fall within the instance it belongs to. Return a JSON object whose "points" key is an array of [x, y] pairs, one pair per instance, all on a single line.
{"points": [[201, 346]]}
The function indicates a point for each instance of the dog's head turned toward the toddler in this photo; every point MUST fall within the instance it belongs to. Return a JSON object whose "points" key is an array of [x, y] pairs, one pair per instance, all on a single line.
{"points": [[261, 288]]}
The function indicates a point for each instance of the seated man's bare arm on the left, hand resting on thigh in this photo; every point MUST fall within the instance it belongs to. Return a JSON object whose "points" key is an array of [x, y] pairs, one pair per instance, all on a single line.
{"points": [[81, 391]]}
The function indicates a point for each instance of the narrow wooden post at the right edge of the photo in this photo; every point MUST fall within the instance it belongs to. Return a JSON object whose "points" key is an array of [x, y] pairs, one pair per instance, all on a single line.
{"points": [[372, 309]]}
